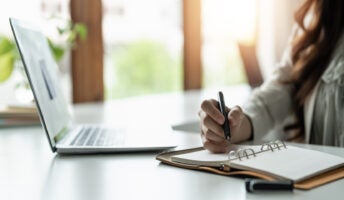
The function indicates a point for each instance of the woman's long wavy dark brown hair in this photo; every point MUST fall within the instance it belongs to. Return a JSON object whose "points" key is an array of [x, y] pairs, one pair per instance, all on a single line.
{"points": [[312, 50]]}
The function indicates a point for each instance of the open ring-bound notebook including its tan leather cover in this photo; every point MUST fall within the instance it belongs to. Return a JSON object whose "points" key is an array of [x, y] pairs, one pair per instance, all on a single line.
{"points": [[307, 168]]}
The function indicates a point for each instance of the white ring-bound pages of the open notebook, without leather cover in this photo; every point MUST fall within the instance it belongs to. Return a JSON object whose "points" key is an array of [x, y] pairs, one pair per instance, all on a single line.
{"points": [[273, 159]]}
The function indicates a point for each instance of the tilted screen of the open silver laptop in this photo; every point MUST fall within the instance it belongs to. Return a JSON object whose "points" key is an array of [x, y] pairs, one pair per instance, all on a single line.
{"points": [[42, 72]]}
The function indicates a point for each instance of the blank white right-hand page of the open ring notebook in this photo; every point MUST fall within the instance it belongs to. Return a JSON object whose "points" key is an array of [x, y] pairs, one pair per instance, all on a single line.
{"points": [[292, 163]]}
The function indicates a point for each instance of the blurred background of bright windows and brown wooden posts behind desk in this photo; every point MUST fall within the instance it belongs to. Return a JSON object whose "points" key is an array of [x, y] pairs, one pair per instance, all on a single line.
{"points": [[152, 46]]}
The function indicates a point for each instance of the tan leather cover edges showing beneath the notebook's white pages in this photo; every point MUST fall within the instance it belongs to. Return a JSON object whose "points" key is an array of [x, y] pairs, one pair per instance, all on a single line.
{"points": [[310, 183]]}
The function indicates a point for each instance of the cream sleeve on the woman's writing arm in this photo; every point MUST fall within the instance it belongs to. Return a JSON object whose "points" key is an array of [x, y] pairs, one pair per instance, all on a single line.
{"points": [[270, 104]]}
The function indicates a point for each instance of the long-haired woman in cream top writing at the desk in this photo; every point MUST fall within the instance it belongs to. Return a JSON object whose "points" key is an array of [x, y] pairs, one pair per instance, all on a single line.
{"points": [[308, 83]]}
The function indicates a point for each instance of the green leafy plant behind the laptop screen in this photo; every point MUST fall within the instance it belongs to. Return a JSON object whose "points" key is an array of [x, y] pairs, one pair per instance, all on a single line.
{"points": [[9, 54]]}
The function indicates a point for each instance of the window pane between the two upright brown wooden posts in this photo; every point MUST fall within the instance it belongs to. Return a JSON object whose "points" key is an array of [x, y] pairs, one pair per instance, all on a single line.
{"points": [[143, 47]]}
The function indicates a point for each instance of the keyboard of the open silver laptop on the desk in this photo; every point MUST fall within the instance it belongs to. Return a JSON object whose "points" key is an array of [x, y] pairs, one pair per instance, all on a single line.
{"points": [[98, 136]]}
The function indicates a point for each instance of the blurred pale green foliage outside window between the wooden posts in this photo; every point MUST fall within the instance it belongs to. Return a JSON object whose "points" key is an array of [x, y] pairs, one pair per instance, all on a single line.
{"points": [[142, 67]]}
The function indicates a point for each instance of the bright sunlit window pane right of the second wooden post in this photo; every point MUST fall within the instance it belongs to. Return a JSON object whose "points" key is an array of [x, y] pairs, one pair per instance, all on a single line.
{"points": [[224, 24]]}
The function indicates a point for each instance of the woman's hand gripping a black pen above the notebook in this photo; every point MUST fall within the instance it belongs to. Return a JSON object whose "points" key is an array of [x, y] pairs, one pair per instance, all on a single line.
{"points": [[211, 125]]}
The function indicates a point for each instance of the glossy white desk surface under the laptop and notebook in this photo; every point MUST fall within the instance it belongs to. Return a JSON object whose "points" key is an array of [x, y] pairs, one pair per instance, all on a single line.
{"points": [[29, 170]]}
